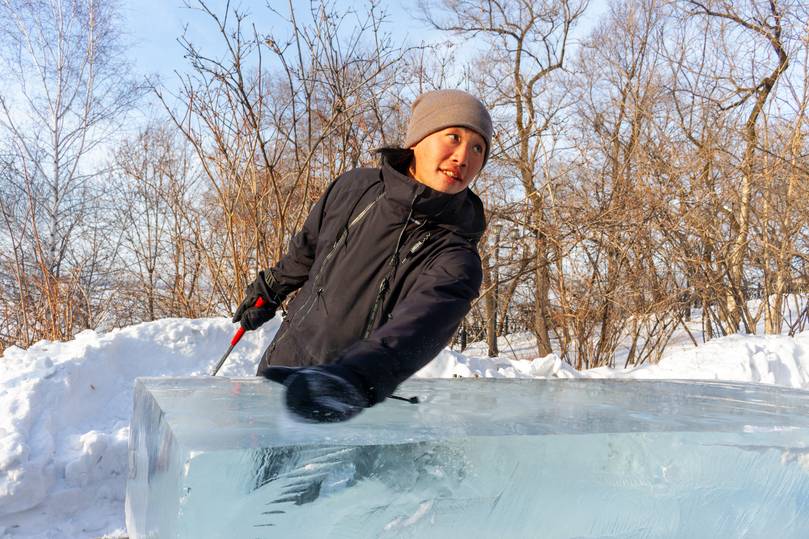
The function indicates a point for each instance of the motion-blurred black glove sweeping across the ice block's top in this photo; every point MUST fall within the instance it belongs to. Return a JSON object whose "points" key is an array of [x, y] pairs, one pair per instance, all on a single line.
{"points": [[323, 394]]}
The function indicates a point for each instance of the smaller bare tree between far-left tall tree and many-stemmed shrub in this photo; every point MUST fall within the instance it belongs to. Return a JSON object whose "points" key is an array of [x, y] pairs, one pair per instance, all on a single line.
{"points": [[161, 257]]}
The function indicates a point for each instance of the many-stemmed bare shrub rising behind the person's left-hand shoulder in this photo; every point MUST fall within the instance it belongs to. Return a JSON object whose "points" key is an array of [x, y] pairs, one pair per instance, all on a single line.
{"points": [[275, 120]]}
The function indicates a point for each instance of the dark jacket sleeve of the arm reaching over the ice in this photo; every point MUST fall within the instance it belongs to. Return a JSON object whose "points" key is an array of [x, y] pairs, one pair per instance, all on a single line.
{"points": [[422, 323]]}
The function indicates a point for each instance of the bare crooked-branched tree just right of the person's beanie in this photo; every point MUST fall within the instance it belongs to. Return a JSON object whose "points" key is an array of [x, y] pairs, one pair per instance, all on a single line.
{"points": [[528, 42]]}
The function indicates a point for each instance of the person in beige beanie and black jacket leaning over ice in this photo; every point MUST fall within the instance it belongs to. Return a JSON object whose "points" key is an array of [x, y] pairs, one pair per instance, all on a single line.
{"points": [[387, 265]]}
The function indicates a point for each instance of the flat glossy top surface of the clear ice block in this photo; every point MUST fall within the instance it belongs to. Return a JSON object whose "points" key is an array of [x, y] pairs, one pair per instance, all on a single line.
{"points": [[220, 413]]}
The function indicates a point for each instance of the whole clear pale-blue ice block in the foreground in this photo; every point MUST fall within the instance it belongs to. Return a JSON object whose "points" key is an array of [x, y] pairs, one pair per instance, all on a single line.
{"points": [[213, 458]]}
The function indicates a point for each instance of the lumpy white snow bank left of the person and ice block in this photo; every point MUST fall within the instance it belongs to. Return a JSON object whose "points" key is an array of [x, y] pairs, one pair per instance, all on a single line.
{"points": [[65, 426]]}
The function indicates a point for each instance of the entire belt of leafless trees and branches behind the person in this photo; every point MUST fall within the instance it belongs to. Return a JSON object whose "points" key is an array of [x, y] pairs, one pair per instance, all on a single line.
{"points": [[650, 170]]}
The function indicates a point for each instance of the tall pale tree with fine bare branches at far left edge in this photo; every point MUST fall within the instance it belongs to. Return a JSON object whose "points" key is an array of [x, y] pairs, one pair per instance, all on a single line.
{"points": [[66, 89]]}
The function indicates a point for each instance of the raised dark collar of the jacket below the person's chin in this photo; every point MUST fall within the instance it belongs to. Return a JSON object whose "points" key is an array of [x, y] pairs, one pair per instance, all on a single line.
{"points": [[462, 213]]}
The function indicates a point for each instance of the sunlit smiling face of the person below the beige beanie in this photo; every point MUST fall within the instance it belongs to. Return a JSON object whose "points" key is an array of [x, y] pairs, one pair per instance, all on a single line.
{"points": [[448, 160]]}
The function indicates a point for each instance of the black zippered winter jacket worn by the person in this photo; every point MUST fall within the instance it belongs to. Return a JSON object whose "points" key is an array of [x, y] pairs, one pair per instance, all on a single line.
{"points": [[387, 268]]}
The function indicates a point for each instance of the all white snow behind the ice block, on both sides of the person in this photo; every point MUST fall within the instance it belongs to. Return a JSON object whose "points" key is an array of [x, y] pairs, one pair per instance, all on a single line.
{"points": [[66, 406]]}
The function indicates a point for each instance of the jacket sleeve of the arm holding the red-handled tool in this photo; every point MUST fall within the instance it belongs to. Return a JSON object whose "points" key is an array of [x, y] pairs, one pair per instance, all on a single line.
{"points": [[292, 270]]}
